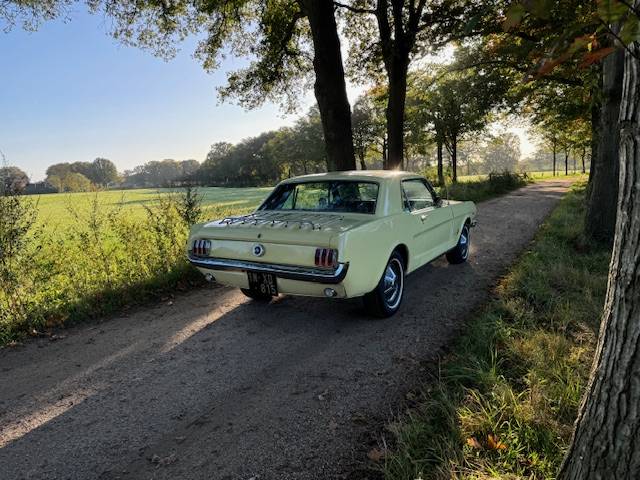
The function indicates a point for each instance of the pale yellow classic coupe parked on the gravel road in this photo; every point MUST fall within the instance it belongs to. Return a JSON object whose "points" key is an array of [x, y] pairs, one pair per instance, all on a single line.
{"points": [[340, 234]]}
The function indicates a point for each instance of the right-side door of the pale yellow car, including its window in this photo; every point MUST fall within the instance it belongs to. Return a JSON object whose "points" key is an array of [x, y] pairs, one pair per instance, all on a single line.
{"points": [[430, 222]]}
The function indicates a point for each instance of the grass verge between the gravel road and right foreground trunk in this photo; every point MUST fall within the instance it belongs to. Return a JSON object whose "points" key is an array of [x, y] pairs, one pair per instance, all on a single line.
{"points": [[505, 399]]}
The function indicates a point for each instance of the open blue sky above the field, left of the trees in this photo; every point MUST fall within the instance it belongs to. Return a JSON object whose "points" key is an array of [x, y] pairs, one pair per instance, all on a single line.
{"points": [[69, 92]]}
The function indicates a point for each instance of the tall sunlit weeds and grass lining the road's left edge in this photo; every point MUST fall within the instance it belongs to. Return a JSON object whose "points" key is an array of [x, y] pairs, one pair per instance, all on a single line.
{"points": [[105, 258]]}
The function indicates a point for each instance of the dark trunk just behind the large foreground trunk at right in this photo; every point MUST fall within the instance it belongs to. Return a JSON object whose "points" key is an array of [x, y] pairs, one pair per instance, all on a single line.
{"points": [[602, 196]]}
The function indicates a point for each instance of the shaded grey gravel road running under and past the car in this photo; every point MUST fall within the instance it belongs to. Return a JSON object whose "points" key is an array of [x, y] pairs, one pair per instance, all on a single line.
{"points": [[213, 386]]}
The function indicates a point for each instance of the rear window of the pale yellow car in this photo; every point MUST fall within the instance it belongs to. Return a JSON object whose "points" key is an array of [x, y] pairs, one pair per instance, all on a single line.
{"points": [[325, 196]]}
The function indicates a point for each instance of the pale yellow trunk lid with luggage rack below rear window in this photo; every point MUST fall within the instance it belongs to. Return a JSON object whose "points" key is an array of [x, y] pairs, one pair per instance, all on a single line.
{"points": [[283, 227]]}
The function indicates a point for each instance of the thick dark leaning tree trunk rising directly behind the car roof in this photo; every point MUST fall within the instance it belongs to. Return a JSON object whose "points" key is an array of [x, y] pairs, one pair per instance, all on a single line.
{"points": [[330, 87]]}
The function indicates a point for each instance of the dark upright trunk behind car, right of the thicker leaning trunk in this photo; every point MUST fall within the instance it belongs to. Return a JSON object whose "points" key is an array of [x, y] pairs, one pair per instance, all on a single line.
{"points": [[395, 112]]}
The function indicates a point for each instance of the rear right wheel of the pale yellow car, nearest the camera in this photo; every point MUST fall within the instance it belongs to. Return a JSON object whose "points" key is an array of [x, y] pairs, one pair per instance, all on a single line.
{"points": [[385, 299]]}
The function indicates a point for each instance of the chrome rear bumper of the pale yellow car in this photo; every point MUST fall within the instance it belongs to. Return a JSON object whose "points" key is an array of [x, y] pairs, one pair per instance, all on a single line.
{"points": [[307, 274]]}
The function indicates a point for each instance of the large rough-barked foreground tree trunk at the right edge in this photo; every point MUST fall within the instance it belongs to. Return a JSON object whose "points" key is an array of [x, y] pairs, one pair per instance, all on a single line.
{"points": [[606, 442]]}
